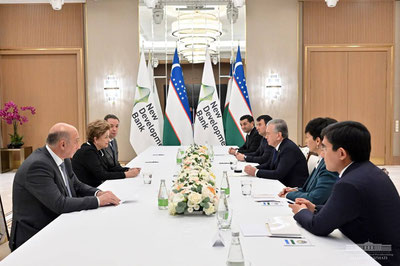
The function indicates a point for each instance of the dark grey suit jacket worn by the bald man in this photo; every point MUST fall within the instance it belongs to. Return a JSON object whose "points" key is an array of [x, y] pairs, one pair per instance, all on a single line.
{"points": [[40, 195]]}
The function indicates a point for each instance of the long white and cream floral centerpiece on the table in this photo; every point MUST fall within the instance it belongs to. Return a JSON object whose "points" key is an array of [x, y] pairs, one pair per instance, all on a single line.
{"points": [[194, 188]]}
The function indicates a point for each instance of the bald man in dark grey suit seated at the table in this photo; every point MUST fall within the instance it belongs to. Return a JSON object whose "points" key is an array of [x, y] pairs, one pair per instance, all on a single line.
{"points": [[45, 186]]}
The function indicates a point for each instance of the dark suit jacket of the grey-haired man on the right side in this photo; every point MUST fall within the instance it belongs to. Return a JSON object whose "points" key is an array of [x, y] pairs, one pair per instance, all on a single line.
{"points": [[289, 167]]}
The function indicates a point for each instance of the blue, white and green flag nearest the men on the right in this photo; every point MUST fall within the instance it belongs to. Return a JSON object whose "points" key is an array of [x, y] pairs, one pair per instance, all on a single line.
{"points": [[239, 105]]}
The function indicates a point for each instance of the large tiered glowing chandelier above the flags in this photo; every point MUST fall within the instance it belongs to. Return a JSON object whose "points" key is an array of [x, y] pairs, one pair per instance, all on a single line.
{"points": [[196, 31]]}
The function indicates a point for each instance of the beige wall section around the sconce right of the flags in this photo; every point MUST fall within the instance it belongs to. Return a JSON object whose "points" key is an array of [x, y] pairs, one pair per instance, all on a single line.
{"points": [[272, 45]]}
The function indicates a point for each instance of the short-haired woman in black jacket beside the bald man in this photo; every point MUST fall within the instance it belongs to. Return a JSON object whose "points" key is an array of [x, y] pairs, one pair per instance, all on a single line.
{"points": [[87, 163]]}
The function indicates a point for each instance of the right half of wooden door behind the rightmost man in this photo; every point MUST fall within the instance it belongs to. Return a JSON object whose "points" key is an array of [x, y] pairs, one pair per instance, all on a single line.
{"points": [[367, 97]]}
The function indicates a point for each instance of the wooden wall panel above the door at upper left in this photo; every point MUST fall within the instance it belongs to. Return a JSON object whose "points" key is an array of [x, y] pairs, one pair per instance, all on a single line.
{"points": [[39, 26]]}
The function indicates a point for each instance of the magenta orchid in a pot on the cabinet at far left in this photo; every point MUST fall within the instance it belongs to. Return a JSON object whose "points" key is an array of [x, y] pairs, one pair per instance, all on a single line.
{"points": [[10, 114]]}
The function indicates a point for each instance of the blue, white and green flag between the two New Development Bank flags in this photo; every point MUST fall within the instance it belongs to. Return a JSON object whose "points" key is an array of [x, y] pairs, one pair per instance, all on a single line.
{"points": [[178, 120]]}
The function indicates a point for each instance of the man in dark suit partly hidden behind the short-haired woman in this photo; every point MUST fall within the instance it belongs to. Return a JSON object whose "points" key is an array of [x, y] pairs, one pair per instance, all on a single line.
{"points": [[110, 157]]}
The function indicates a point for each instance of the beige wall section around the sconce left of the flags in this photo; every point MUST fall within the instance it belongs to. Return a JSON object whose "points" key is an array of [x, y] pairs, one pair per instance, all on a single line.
{"points": [[112, 48]]}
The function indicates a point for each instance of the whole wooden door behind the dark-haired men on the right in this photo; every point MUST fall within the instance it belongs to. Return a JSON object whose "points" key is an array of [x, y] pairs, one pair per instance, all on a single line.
{"points": [[352, 83]]}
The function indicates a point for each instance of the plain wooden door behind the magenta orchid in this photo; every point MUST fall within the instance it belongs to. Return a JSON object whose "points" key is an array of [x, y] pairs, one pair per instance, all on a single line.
{"points": [[47, 82]]}
